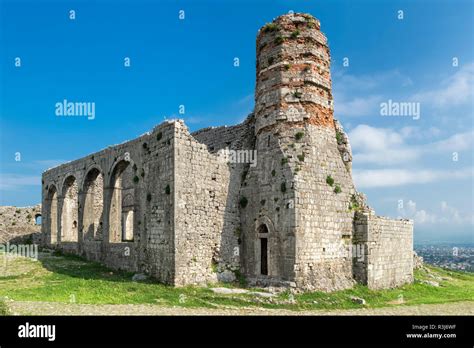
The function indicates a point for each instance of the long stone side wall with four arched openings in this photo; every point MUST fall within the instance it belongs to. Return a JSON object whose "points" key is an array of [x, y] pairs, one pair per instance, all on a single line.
{"points": [[112, 206]]}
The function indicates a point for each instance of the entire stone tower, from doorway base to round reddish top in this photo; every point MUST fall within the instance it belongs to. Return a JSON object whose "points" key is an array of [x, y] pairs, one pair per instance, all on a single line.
{"points": [[296, 222]]}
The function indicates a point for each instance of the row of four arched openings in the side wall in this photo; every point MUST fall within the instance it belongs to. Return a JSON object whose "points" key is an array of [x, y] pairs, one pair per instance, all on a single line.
{"points": [[86, 212]]}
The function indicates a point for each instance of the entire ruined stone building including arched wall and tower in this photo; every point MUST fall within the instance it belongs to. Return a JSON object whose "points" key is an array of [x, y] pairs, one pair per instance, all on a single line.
{"points": [[174, 205]]}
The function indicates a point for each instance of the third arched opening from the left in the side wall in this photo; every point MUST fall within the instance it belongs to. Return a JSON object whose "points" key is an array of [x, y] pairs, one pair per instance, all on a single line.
{"points": [[92, 213]]}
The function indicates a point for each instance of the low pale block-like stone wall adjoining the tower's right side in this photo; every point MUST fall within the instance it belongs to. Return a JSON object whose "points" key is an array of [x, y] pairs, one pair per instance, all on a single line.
{"points": [[387, 259]]}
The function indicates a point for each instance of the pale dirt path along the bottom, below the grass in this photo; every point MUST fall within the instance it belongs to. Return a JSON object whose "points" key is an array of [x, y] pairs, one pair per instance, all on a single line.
{"points": [[56, 308]]}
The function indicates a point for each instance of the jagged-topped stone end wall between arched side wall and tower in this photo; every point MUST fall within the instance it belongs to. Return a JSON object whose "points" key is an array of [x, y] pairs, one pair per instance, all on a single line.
{"points": [[207, 193]]}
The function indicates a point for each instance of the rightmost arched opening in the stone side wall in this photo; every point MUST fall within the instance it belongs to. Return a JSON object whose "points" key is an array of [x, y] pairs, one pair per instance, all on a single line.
{"points": [[121, 216]]}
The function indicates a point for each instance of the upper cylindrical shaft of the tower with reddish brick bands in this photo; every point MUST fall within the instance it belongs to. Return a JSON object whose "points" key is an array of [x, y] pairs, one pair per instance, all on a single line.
{"points": [[293, 76]]}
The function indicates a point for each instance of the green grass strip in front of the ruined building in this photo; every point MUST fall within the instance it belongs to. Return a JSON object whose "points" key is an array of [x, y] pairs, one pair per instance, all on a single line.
{"points": [[59, 278]]}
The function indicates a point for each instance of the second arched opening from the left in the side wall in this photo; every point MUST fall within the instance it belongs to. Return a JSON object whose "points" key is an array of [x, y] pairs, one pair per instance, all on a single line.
{"points": [[69, 211]]}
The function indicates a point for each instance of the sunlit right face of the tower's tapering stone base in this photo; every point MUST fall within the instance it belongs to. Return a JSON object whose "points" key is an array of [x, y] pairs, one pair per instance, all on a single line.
{"points": [[324, 217]]}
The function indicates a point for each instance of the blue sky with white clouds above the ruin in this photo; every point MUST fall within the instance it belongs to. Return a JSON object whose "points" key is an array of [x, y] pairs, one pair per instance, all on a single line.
{"points": [[190, 62]]}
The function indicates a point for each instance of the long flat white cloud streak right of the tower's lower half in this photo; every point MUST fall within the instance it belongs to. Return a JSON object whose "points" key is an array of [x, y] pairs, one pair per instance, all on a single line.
{"points": [[397, 177]]}
